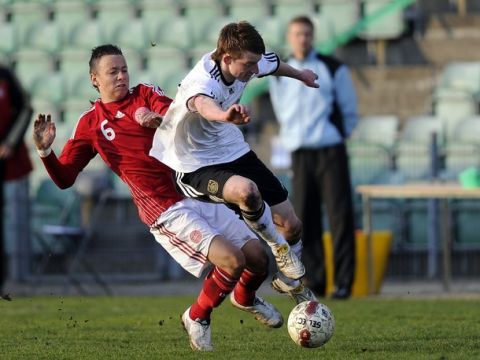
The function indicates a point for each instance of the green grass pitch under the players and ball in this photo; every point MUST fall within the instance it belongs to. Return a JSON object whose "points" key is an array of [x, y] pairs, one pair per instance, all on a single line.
{"points": [[149, 328]]}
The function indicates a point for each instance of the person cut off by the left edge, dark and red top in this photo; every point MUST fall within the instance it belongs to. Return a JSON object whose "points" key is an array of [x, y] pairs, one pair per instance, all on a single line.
{"points": [[15, 165]]}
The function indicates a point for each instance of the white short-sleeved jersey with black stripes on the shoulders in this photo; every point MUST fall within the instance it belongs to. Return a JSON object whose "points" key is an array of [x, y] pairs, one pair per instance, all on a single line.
{"points": [[185, 141]]}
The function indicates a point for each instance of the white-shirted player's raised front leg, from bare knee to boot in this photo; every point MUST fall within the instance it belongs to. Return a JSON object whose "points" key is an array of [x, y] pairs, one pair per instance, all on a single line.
{"points": [[257, 215]]}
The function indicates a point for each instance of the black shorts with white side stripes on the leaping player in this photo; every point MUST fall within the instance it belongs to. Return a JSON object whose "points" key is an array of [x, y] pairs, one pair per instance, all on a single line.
{"points": [[207, 183]]}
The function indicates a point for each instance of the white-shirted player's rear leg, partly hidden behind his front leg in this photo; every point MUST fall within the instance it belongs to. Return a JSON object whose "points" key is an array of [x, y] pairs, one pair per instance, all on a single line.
{"points": [[291, 227]]}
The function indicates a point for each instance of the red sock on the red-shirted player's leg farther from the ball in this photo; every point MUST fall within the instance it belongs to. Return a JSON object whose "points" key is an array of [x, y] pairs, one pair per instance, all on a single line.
{"points": [[216, 286]]}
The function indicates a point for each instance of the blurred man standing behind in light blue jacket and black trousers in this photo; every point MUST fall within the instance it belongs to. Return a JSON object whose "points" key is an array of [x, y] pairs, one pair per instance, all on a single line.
{"points": [[314, 124]]}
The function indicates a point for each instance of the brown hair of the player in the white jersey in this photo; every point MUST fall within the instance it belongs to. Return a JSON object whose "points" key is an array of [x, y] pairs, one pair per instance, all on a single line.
{"points": [[235, 38]]}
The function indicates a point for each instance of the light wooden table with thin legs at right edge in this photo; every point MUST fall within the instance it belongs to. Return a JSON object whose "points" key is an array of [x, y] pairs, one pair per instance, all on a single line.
{"points": [[441, 191]]}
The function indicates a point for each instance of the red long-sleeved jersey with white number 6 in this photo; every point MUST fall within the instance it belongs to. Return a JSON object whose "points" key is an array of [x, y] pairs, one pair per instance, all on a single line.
{"points": [[112, 131]]}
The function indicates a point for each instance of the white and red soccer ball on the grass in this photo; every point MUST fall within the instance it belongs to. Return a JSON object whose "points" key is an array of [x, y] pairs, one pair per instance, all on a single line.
{"points": [[311, 324]]}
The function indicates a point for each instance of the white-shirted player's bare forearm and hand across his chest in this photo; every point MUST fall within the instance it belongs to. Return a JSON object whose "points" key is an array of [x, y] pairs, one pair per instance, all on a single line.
{"points": [[209, 109]]}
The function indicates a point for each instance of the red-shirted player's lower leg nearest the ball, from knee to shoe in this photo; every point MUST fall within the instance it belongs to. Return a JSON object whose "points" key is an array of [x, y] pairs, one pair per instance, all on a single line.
{"points": [[244, 295]]}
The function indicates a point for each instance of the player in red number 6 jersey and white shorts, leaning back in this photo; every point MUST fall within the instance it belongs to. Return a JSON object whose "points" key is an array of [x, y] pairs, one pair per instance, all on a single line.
{"points": [[119, 127]]}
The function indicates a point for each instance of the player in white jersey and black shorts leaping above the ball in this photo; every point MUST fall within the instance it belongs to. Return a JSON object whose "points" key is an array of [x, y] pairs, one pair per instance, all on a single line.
{"points": [[200, 140]]}
